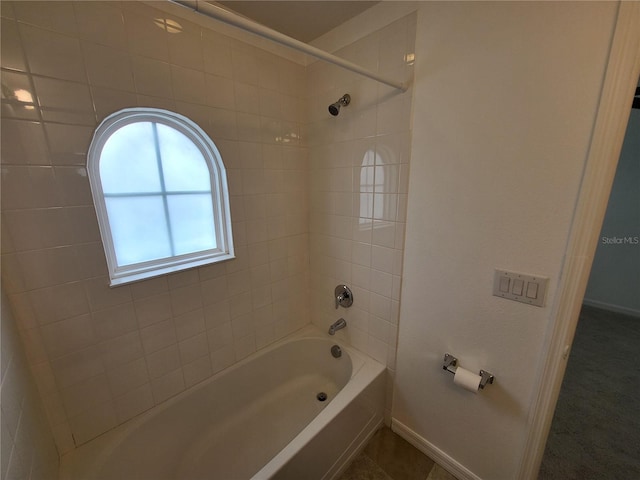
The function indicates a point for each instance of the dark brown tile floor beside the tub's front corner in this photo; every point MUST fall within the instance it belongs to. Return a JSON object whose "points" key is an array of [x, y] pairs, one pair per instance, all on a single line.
{"points": [[389, 457]]}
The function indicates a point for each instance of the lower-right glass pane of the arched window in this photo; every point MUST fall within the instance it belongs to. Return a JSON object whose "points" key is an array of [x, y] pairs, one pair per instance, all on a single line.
{"points": [[191, 222]]}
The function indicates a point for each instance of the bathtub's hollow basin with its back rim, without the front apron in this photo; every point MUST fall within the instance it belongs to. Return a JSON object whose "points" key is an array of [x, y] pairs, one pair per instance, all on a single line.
{"points": [[203, 430]]}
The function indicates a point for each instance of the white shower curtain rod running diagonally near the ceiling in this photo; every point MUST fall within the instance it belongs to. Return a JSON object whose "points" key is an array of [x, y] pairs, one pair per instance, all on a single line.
{"points": [[219, 13]]}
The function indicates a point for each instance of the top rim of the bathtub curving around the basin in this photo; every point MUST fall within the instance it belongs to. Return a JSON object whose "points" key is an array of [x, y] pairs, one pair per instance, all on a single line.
{"points": [[97, 450]]}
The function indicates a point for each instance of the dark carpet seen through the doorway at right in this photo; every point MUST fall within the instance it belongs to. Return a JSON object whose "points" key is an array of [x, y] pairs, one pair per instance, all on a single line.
{"points": [[595, 433]]}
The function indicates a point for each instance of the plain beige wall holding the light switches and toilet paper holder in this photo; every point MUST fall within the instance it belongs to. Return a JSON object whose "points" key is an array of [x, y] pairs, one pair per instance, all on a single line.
{"points": [[505, 100]]}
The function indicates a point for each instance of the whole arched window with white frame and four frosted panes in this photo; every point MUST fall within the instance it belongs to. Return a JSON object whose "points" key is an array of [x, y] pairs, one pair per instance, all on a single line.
{"points": [[160, 192]]}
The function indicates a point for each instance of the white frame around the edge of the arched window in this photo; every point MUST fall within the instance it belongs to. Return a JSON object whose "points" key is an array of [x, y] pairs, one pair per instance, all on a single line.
{"points": [[122, 274]]}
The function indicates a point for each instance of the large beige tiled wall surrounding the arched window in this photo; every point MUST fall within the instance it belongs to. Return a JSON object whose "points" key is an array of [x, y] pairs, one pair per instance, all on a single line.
{"points": [[102, 355]]}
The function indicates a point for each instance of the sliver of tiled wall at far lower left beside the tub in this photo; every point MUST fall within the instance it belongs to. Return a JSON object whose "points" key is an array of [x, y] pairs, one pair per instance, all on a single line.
{"points": [[27, 448]]}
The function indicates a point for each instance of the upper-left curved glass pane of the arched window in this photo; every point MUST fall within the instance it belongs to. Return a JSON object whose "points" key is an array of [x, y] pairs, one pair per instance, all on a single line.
{"points": [[128, 162]]}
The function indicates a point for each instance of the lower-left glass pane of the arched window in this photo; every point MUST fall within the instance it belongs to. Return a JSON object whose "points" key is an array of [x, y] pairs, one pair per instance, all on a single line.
{"points": [[139, 229]]}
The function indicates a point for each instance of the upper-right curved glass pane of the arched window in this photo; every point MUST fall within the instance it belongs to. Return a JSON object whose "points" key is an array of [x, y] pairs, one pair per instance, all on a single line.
{"points": [[185, 169]]}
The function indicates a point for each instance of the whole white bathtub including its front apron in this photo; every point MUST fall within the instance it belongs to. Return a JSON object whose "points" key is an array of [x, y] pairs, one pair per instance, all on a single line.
{"points": [[258, 419]]}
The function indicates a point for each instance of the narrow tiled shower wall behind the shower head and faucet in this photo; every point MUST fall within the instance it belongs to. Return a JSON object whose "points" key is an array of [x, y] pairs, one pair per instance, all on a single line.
{"points": [[359, 167]]}
